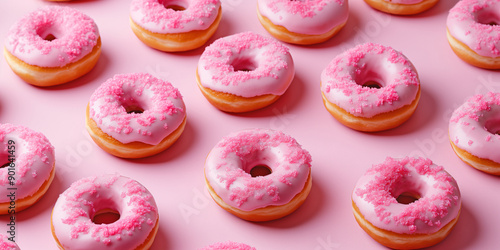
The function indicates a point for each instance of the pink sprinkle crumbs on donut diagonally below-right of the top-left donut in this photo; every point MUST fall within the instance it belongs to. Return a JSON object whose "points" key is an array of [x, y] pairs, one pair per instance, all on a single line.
{"points": [[126, 90]]}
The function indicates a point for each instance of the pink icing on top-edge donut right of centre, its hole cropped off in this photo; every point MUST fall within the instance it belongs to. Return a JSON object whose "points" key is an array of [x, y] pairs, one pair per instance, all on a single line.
{"points": [[312, 17]]}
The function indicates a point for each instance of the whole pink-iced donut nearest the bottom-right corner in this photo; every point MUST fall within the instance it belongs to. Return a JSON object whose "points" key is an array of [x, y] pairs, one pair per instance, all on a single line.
{"points": [[406, 203]]}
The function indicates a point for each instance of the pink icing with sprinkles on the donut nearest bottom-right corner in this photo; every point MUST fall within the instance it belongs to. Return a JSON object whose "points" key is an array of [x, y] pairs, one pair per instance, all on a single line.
{"points": [[376, 192]]}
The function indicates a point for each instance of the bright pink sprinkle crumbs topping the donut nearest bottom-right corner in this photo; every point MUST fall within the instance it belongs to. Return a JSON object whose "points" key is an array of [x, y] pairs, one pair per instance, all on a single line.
{"points": [[389, 177]]}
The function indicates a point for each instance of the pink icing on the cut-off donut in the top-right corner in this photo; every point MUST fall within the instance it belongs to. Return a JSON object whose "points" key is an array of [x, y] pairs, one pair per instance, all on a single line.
{"points": [[469, 22]]}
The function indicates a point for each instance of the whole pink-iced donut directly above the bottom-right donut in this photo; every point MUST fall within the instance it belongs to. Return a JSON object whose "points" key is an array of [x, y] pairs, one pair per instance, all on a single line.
{"points": [[370, 88]]}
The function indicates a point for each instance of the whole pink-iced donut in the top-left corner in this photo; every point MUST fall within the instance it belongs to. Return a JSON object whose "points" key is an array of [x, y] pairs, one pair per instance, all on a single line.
{"points": [[53, 45]]}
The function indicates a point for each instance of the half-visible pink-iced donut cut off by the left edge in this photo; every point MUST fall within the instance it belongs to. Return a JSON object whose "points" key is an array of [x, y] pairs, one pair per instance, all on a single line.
{"points": [[28, 167]]}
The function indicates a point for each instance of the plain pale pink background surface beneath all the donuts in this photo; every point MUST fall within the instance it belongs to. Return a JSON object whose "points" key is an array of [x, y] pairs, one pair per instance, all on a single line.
{"points": [[189, 219]]}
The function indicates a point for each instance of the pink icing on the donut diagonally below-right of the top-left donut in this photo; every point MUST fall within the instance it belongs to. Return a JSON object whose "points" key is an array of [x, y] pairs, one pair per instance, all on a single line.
{"points": [[163, 107]]}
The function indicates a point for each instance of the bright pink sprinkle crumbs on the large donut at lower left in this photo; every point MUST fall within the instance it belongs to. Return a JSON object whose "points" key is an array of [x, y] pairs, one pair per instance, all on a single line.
{"points": [[84, 195]]}
